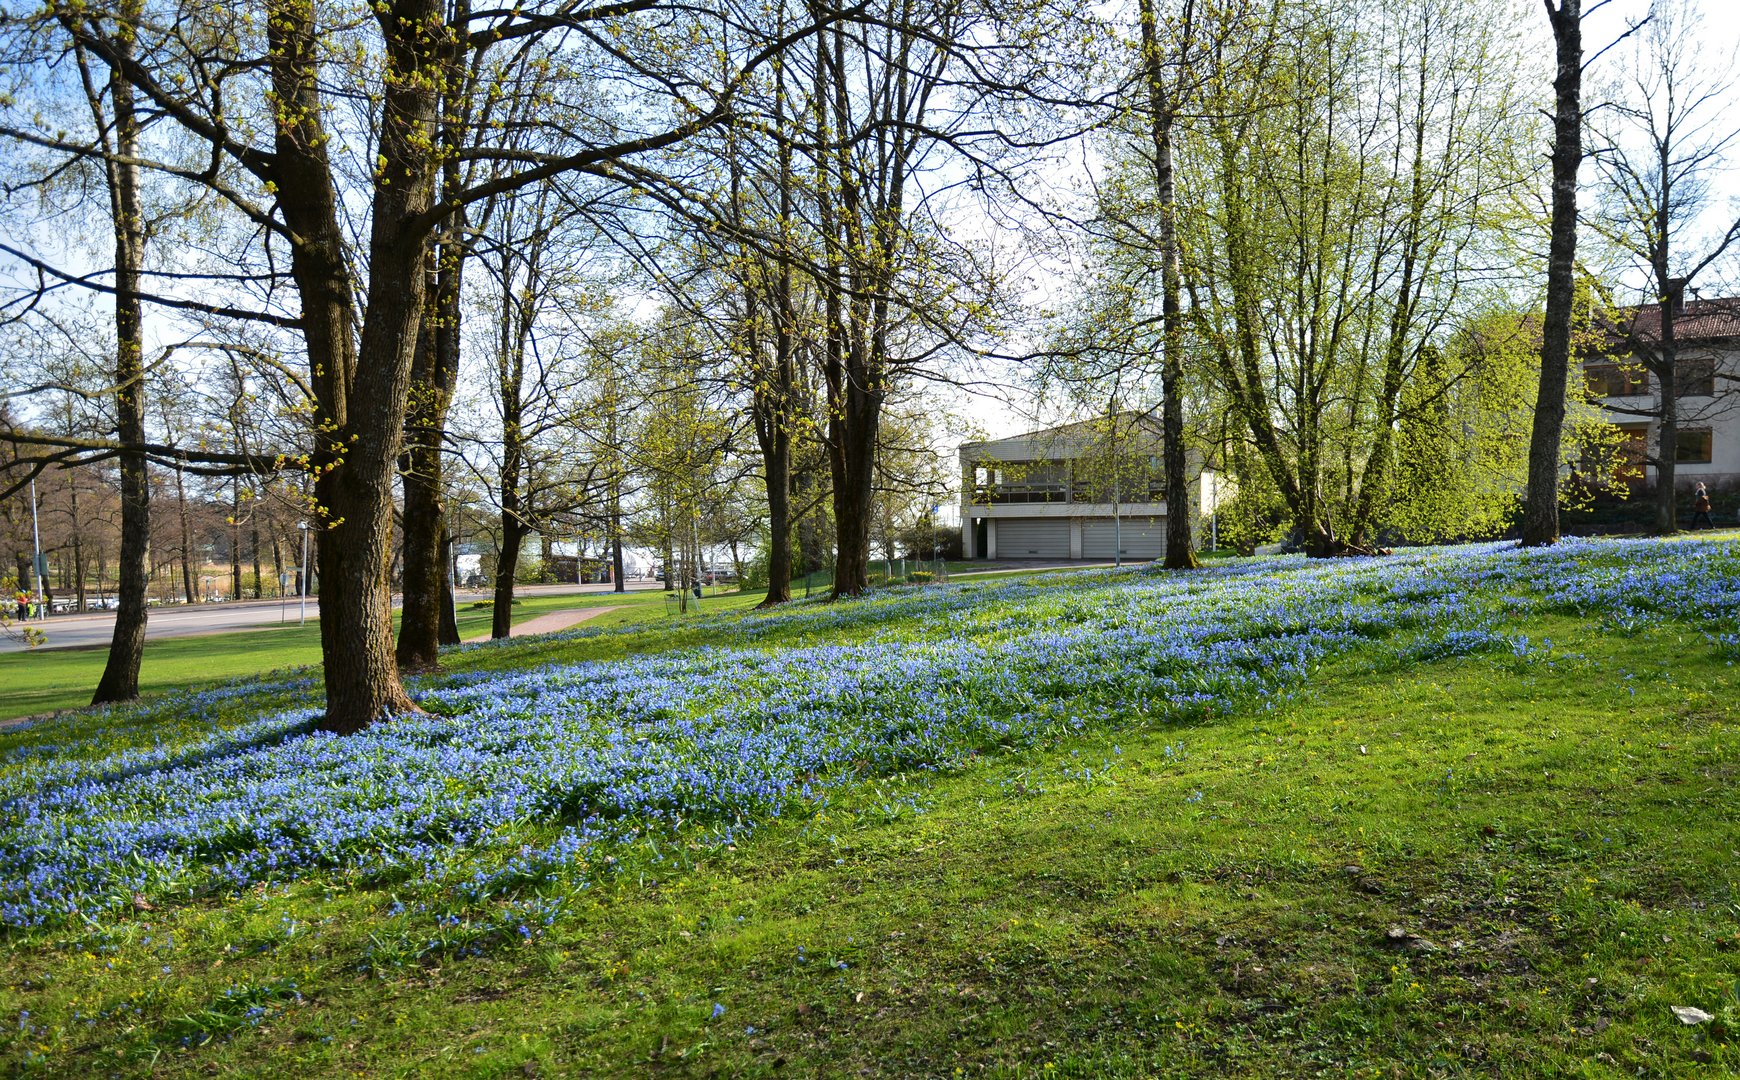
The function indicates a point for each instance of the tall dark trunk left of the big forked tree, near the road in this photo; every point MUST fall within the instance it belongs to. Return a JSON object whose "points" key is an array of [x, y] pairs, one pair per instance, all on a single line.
{"points": [[121, 674]]}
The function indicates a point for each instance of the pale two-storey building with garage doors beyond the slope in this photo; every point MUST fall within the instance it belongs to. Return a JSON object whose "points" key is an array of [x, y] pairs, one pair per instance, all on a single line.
{"points": [[1088, 491]]}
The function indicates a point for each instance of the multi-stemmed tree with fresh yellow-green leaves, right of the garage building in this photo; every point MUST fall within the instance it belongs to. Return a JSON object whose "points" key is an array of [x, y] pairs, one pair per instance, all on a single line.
{"points": [[1349, 182]]}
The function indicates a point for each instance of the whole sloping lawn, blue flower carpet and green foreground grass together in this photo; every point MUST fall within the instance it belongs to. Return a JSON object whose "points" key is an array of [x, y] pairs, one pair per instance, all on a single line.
{"points": [[1449, 813]]}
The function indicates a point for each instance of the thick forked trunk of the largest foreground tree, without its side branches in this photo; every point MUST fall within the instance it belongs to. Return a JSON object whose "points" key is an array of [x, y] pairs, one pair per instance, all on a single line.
{"points": [[363, 404]]}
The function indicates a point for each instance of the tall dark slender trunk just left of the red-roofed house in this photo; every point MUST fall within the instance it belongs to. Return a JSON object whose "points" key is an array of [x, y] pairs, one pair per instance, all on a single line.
{"points": [[1541, 510]]}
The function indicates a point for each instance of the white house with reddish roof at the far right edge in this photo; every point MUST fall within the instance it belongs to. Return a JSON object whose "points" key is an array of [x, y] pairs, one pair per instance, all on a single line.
{"points": [[1708, 390]]}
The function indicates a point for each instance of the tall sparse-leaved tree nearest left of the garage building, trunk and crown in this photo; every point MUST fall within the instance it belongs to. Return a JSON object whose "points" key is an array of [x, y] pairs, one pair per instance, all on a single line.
{"points": [[895, 288]]}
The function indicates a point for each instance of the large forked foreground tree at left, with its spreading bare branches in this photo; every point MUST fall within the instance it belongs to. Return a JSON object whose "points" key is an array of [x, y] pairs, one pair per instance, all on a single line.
{"points": [[361, 337]]}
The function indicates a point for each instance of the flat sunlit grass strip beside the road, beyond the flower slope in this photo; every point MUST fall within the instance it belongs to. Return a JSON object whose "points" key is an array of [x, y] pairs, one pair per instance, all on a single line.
{"points": [[60, 679]]}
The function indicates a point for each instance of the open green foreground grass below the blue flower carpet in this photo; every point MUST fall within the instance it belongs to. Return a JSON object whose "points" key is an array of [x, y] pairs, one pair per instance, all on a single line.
{"points": [[1553, 836]]}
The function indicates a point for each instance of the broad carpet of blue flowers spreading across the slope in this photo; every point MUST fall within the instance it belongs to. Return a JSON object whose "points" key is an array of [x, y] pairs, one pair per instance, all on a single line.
{"points": [[521, 777]]}
